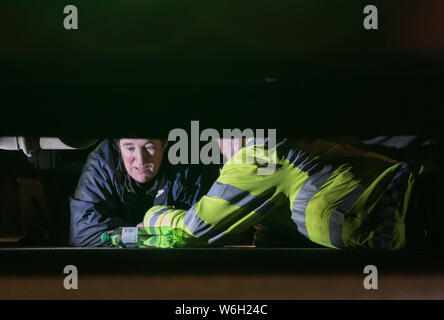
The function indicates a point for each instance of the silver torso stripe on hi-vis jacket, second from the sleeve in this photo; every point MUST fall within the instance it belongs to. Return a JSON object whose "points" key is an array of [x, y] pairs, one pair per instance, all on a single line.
{"points": [[337, 216]]}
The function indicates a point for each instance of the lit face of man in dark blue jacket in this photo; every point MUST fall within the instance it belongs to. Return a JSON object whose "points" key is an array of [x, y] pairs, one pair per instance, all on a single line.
{"points": [[142, 157]]}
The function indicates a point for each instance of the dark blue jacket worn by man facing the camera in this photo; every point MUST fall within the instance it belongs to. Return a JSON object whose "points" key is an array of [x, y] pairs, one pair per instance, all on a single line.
{"points": [[107, 198]]}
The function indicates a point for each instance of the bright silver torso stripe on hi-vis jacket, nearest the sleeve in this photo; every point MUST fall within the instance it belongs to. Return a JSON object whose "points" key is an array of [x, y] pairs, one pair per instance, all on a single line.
{"points": [[308, 190]]}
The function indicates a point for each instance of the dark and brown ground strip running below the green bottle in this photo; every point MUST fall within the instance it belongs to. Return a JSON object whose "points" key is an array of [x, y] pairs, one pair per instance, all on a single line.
{"points": [[220, 273]]}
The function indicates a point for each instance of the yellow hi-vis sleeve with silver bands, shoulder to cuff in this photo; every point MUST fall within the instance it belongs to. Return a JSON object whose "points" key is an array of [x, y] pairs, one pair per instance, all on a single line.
{"points": [[239, 199]]}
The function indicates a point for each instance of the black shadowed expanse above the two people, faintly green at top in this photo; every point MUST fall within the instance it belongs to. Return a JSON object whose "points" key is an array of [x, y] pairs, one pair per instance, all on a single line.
{"points": [[304, 67]]}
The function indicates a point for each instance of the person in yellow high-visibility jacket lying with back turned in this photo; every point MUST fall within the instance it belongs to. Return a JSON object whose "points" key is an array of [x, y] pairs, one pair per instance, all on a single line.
{"points": [[335, 195]]}
